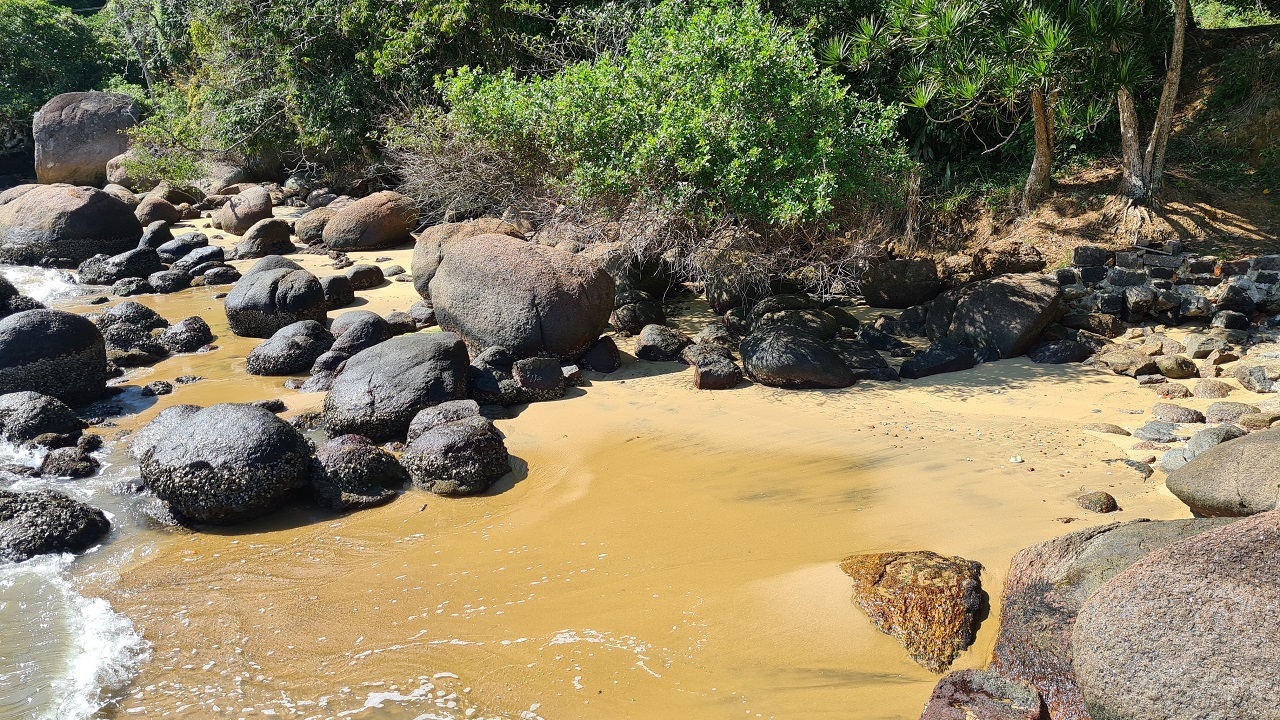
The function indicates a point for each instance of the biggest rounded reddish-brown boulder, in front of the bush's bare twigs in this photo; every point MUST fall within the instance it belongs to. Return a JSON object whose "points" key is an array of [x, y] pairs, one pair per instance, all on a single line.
{"points": [[495, 290]]}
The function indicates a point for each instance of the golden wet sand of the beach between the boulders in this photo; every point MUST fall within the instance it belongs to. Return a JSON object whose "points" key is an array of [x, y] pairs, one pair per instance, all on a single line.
{"points": [[660, 553]]}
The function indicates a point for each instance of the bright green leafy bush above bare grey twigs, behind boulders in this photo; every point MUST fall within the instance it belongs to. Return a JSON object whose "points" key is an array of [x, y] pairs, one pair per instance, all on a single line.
{"points": [[712, 111]]}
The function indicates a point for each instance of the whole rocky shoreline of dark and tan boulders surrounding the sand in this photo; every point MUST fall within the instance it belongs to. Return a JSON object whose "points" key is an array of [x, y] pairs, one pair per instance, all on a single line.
{"points": [[511, 315]]}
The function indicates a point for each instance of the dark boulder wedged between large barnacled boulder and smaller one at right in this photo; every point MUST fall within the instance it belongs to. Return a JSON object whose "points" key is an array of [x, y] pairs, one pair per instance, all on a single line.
{"points": [[351, 473]]}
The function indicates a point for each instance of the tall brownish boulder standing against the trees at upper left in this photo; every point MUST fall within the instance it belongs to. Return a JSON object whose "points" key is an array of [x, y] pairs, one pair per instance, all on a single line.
{"points": [[77, 134]]}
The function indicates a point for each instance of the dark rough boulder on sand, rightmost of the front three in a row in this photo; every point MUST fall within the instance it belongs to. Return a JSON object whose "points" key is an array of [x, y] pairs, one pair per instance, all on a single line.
{"points": [[461, 458]]}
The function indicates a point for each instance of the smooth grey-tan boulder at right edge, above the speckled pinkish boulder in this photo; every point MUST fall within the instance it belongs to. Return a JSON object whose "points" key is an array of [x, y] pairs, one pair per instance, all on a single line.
{"points": [[1232, 480]]}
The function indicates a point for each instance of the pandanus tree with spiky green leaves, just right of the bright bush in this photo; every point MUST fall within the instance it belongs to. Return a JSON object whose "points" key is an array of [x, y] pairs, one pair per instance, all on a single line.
{"points": [[996, 62]]}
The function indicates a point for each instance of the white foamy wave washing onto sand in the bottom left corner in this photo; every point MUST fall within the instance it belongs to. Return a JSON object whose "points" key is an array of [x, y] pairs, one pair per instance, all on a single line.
{"points": [[99, 654]]}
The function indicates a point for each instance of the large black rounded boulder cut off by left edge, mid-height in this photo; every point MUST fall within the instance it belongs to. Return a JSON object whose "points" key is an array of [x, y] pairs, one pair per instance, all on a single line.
{"points": [[53, 353]]}
